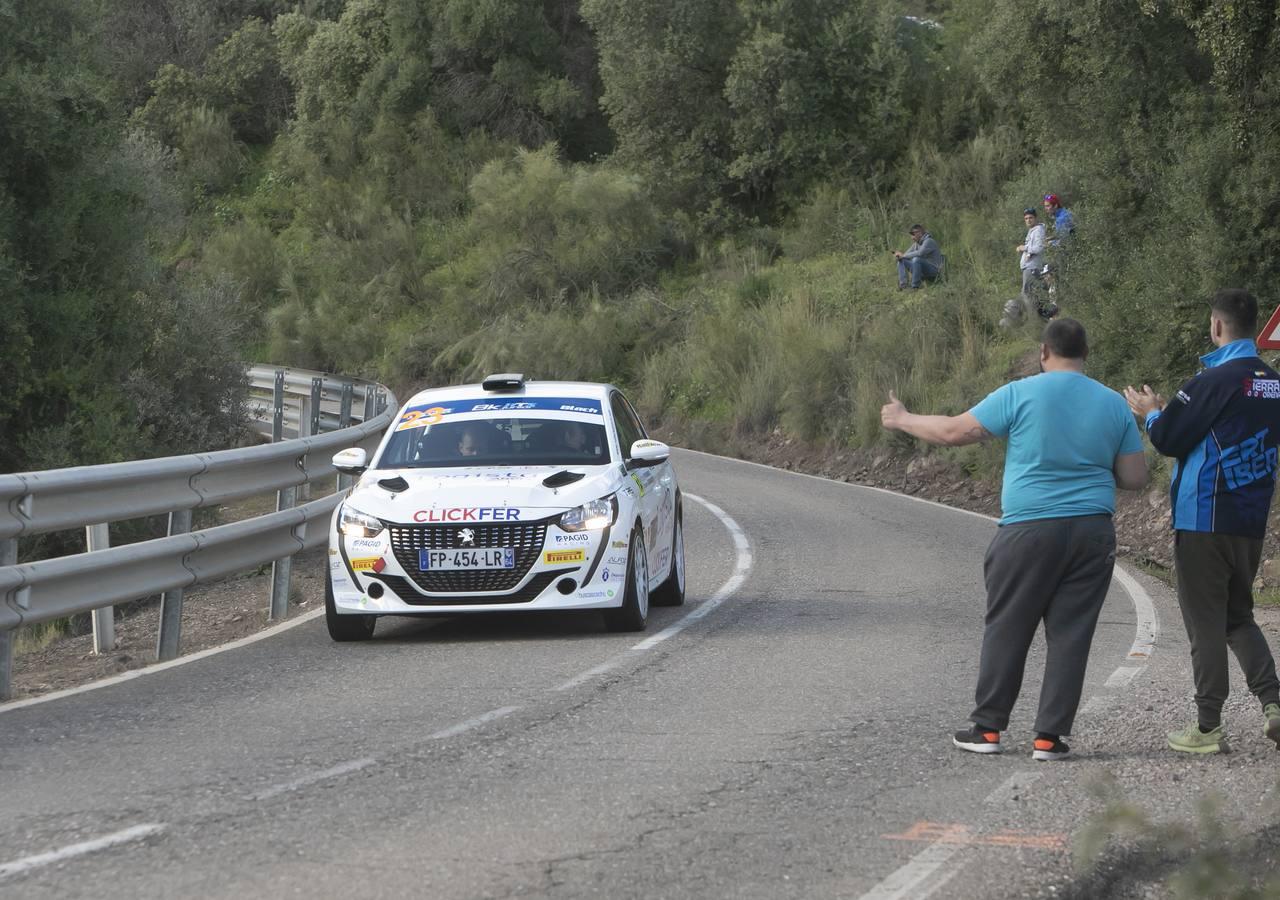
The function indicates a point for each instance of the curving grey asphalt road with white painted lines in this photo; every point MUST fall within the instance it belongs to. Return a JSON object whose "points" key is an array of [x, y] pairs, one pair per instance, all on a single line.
{"points": [[787, 734]]}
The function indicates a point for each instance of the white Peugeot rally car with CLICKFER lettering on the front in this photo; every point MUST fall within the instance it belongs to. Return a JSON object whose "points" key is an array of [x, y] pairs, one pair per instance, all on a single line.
{"points": [[505, 496]]}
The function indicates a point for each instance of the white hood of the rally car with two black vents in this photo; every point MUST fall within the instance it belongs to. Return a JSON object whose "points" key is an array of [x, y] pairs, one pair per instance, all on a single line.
{"points": [[477, 488]]}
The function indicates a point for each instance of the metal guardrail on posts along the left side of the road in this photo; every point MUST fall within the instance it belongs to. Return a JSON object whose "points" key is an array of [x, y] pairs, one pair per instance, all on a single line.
{"points": [[285, 404]]}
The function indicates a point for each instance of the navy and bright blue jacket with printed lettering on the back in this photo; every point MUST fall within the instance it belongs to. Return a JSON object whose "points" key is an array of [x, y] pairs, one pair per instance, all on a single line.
{"points": [[1224, 428]]}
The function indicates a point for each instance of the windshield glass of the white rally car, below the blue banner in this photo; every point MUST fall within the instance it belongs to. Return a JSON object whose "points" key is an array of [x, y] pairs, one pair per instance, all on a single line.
{"points": [[519, 441]]}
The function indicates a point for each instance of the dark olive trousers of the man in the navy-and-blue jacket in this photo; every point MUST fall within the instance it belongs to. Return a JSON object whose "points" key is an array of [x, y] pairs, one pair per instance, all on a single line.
{"points": [[1215, 592]]}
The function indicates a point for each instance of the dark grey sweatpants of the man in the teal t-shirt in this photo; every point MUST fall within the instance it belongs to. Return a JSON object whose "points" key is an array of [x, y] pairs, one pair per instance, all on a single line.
{"points": [[1052, 570]]}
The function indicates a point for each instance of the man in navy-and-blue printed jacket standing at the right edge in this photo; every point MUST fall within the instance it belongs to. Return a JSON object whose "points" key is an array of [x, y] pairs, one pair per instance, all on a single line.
{"points": [[1224, 428]]}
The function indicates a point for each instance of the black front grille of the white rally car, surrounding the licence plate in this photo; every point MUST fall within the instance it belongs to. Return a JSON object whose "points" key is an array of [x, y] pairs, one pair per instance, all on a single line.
{"points": [[525, 538]]}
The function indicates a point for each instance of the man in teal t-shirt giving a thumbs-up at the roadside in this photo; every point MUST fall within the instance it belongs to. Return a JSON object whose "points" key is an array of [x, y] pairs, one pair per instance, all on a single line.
{"points": [[1072, 442]]}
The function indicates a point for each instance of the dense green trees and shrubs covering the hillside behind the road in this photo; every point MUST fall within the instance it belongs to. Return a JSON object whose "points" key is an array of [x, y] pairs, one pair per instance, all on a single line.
{"points": [[692, 199]]}
